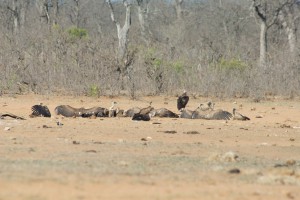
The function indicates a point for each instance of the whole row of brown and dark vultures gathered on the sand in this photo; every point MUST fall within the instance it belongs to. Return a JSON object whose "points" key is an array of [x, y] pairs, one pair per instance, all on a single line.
{"points": [[203, 111]]}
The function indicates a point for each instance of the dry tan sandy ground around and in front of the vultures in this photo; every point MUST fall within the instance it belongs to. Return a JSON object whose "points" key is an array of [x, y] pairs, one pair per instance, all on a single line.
{"points": [[107, 158]]}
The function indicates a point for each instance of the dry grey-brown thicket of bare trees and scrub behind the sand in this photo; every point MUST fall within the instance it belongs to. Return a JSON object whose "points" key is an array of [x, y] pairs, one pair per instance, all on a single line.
{"points": [[223, 48]]}
